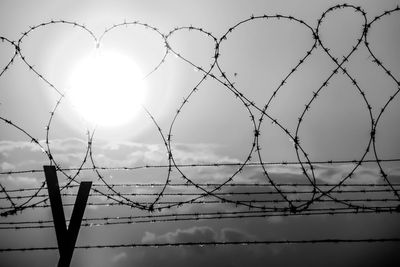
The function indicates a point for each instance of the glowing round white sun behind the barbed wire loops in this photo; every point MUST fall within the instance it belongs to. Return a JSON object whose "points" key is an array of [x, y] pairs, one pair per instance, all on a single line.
{"points": [[107, 88]]}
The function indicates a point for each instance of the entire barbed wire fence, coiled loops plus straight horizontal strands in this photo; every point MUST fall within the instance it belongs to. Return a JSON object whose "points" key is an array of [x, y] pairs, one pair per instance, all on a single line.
{"points": [[267, 199]]}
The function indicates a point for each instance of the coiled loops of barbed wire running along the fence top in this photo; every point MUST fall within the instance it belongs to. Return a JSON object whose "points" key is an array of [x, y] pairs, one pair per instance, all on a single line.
{"points": [[258, 114]]}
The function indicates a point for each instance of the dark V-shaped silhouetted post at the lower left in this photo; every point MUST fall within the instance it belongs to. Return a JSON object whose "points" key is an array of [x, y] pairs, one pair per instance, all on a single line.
{"points": [[66, 237]]}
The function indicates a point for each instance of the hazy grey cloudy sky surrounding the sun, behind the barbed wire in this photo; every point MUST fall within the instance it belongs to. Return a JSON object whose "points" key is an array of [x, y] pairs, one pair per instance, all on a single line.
{"points": [[214, 126]]}
